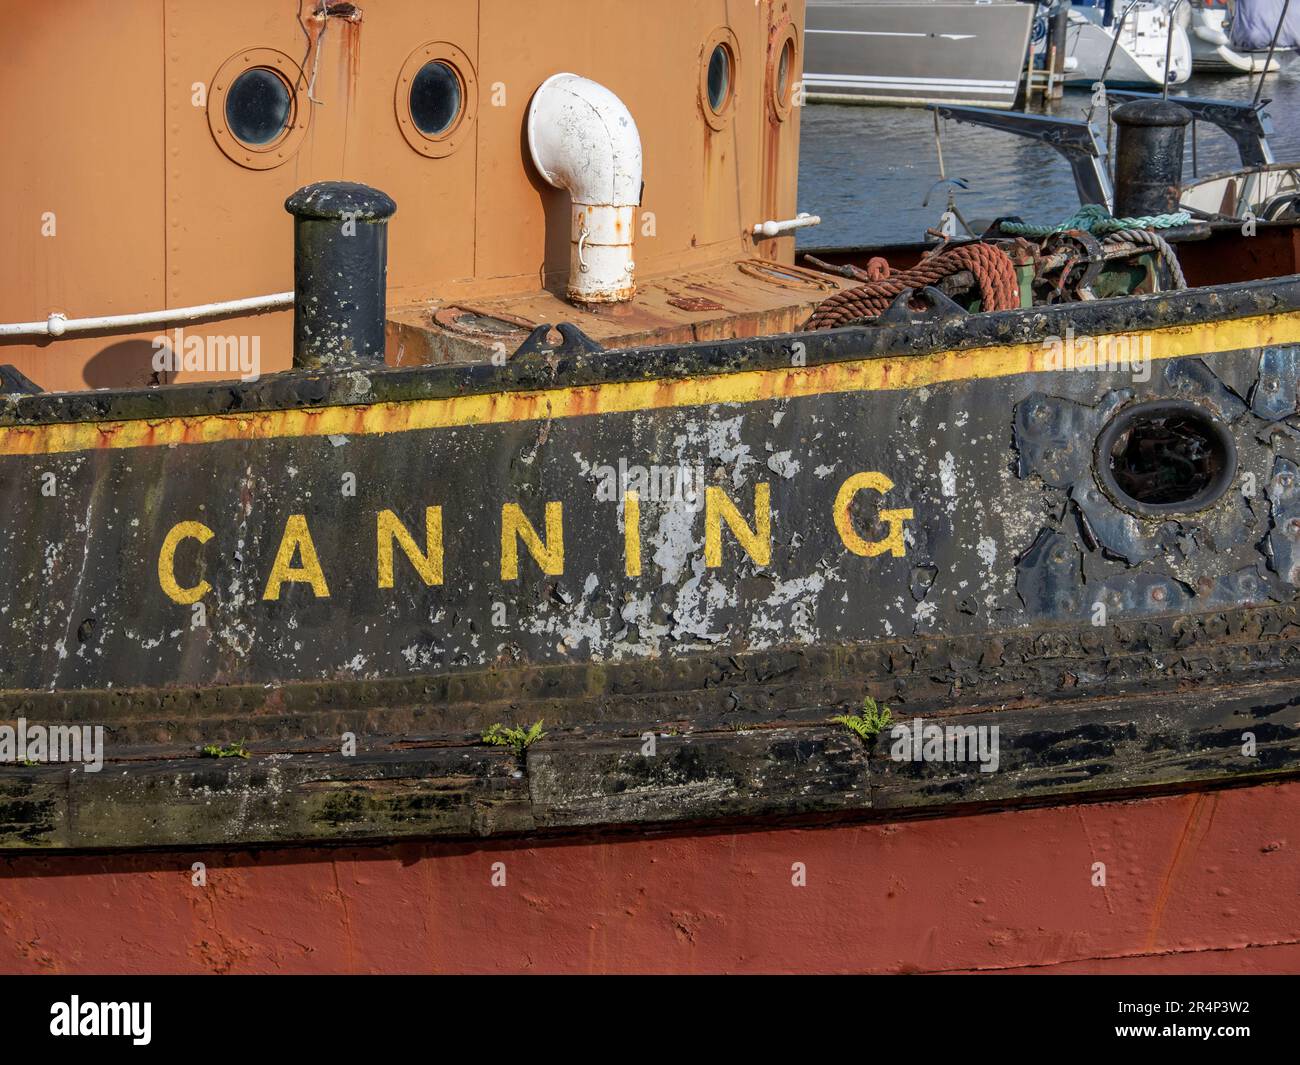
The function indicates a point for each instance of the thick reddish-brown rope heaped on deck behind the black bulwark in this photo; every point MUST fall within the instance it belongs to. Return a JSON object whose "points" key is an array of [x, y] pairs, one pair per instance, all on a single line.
{"points": [[993, 269]]}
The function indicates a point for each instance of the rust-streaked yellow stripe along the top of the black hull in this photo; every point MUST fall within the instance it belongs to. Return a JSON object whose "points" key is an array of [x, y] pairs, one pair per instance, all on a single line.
{"points": [[747, 387]]}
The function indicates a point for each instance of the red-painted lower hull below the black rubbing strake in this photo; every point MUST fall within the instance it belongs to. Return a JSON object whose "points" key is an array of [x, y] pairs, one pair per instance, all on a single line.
{"points": [[1193, 884]]}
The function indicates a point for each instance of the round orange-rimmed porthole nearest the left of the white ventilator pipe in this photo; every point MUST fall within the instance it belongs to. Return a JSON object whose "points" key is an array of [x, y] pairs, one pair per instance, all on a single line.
{"points": [[436, 99]]}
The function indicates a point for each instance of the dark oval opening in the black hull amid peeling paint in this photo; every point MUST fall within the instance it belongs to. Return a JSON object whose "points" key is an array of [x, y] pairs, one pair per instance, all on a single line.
{"points": [[1165, 457]]}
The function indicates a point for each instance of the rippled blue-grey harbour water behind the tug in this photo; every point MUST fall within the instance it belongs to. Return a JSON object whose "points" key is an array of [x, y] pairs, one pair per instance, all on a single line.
{"points": [[868, 170]]}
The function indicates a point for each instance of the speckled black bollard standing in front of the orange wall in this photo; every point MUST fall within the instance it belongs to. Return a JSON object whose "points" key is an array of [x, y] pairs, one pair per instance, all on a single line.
{"points": [[341, 257]]}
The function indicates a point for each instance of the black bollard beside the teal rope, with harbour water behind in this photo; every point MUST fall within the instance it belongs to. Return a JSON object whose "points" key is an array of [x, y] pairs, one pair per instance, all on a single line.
{"points": [[1149, 157]]}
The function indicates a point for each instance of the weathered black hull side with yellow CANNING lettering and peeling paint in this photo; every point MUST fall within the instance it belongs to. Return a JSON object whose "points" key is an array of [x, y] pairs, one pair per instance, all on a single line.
{"points": [[937, 536]]}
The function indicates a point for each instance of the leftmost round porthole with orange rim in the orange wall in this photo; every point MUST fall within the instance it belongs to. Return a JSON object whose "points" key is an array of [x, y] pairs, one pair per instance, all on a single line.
{"points": [[257, 112]]}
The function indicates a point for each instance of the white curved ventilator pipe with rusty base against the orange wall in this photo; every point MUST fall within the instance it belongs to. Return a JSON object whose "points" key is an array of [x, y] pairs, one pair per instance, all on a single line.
{"points": [[583, 140]]}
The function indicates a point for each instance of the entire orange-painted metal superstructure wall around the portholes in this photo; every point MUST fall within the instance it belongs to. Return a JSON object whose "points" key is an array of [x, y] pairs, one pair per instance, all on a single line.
{"points": [[115, 140]]}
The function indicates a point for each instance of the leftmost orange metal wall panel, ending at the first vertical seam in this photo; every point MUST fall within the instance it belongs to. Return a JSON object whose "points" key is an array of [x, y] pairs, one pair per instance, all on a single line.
{"points": [[83, 155]]}
